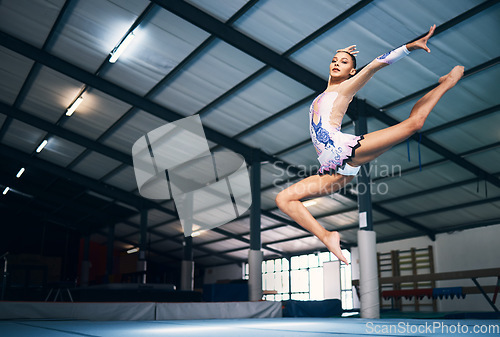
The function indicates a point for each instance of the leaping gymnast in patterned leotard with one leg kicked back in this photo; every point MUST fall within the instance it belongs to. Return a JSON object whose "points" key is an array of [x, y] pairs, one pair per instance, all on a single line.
{"points": [[341, 155]]}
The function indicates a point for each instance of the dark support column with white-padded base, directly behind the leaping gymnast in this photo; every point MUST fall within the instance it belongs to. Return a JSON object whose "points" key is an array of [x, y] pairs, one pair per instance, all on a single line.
{"points": [[368, 281]]}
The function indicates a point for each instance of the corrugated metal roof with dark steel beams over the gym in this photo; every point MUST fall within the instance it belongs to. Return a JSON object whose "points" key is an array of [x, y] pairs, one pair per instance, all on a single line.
{"points": [[219, 59]]}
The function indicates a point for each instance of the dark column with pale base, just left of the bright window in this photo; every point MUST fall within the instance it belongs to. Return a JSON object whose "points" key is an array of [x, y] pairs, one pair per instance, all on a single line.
{"points": [[255, 255]]}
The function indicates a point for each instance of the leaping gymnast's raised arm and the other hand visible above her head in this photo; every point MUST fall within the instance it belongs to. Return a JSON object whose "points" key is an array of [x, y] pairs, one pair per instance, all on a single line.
{"points": [[350, 87]]}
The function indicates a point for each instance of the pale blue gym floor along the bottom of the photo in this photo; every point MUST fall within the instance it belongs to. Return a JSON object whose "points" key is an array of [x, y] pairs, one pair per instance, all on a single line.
{"points": [[251, 327]]}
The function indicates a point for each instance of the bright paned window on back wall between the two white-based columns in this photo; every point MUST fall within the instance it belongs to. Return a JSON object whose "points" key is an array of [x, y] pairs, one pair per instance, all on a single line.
{"points": [[305, 275]]}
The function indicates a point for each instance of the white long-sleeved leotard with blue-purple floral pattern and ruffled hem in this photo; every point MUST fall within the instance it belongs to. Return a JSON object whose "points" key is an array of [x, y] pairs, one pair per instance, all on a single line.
{"points": [[333, 147]]}
